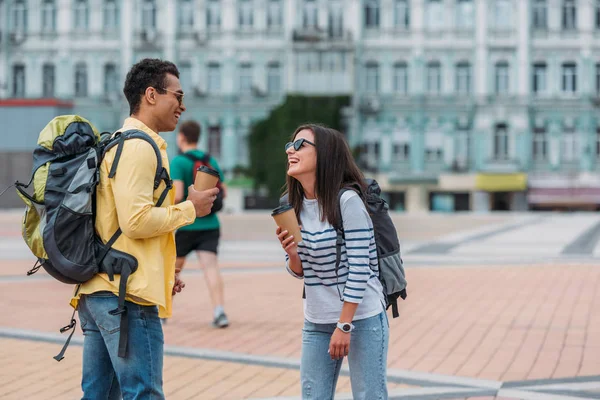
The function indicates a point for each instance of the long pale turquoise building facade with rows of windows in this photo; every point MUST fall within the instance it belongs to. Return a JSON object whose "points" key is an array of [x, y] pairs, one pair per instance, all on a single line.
{"points": [[457, 104]]}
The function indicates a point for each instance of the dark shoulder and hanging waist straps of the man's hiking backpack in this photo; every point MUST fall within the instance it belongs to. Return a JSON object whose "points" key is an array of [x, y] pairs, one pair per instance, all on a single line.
{"points": [[121, 265]]}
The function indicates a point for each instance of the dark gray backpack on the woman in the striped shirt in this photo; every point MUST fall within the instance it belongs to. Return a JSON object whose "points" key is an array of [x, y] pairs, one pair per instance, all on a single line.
{"points": [[391, 267]]}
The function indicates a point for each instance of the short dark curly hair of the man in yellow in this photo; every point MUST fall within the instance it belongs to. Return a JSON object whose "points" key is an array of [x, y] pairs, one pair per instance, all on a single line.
{"points": [[150, 72]]}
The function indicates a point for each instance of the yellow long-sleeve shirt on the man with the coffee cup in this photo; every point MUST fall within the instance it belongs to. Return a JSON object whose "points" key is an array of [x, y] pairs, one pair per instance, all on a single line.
{"points": [[127, 201]]}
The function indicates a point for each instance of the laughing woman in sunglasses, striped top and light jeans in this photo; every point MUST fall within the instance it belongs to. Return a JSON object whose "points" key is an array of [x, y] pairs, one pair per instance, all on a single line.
{"points": [[343, 310]]}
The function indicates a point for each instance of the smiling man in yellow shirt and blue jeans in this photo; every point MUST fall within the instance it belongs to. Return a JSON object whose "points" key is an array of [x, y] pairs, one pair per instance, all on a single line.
{"points": [[127, 201]]}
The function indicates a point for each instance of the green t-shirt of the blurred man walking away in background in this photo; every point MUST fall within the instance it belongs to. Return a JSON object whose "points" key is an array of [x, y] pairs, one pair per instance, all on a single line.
{"points": [[182, 170]]}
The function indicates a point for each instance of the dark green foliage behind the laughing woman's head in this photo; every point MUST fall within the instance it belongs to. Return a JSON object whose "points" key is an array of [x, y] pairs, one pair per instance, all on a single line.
{"points": [[269, 136]]}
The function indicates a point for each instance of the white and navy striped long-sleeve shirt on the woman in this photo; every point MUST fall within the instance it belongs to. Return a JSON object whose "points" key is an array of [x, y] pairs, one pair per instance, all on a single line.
{"points": [[357, 280]]}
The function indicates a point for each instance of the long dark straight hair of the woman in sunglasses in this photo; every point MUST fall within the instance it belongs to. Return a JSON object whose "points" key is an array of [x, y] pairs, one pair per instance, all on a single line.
{"points": [[335, 169]]}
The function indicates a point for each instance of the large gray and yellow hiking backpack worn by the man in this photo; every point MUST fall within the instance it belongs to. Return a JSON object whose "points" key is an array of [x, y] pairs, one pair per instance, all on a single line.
{"points": [[59, 221]]}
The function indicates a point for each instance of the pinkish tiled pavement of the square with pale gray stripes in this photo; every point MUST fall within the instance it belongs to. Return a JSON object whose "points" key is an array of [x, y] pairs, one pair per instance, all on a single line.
{"points": [[517, 330]]}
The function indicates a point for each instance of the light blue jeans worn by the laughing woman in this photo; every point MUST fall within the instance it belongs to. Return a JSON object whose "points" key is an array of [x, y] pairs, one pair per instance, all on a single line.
{"points": [[367, 359]]}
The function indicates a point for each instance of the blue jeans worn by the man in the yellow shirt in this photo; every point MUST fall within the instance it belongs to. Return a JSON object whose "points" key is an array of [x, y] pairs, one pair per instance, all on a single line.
{"points": [[107, 376]]}
